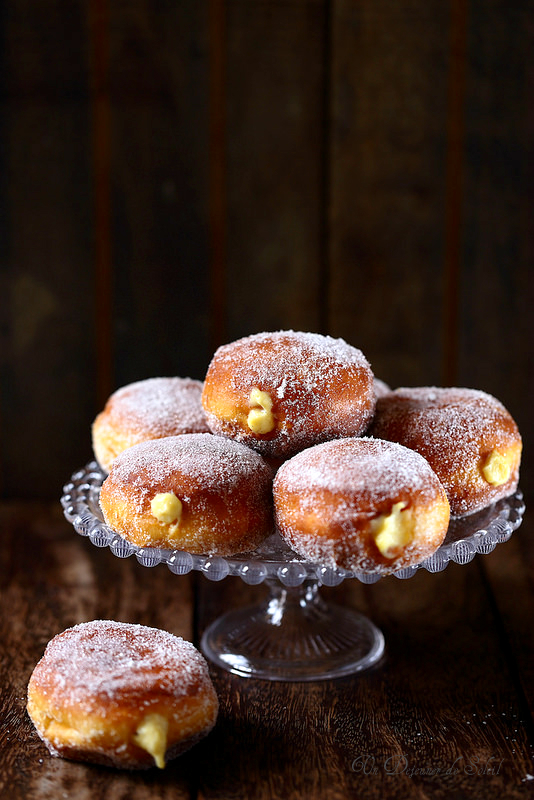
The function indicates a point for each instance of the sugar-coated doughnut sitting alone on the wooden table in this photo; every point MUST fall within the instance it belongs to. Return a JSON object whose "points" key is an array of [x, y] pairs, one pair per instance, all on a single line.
{"points": [[121, 695]]}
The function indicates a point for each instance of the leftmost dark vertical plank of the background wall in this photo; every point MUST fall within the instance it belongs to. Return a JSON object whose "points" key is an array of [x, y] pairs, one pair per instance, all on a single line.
{"points": [[47, 353]]}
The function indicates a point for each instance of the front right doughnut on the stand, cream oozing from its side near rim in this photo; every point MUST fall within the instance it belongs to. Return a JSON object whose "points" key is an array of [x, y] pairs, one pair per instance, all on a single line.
{"points": [[362, 504]]}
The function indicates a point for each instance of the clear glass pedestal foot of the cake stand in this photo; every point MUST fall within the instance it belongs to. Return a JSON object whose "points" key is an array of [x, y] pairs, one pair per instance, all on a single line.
{"points": [[293, 636]]}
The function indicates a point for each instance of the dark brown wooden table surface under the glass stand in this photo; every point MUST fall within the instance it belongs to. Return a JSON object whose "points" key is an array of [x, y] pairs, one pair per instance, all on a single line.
{"points": [[448, 713]]}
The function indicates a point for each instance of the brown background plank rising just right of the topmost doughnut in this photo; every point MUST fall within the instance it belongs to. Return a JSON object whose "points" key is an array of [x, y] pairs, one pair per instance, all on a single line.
{"points": [[389, 88]]}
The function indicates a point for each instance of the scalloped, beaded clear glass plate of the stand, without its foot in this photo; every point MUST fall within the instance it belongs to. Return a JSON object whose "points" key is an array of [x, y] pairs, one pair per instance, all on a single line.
{"points": [[467, 536]]}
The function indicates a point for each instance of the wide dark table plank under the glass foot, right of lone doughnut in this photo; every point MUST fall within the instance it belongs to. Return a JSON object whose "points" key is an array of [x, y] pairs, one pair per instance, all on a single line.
{"points": [[441, 716]]}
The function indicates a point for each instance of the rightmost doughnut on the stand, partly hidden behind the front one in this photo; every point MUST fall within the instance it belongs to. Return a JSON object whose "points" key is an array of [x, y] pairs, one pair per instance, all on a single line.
{"points": [[467, 436]]}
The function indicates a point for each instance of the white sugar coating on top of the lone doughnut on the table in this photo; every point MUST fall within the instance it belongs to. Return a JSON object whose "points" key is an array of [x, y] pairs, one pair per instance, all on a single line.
{"points": [[101, 663]]}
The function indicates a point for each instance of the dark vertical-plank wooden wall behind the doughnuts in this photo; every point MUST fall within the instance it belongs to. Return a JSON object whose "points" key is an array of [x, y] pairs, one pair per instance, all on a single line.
{"points": [[177, 174]]}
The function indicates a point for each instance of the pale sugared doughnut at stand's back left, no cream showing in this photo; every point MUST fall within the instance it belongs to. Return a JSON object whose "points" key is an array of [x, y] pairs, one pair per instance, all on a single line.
{"points": [[149, 409]]}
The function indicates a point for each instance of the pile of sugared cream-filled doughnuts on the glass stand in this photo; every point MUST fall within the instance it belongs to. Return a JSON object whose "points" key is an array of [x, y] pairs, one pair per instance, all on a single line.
{"points": [[301, 403]]}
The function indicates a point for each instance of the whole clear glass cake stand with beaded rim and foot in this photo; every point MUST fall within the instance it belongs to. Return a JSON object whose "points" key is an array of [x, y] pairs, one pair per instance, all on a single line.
{"points": [[295, 635]]}
